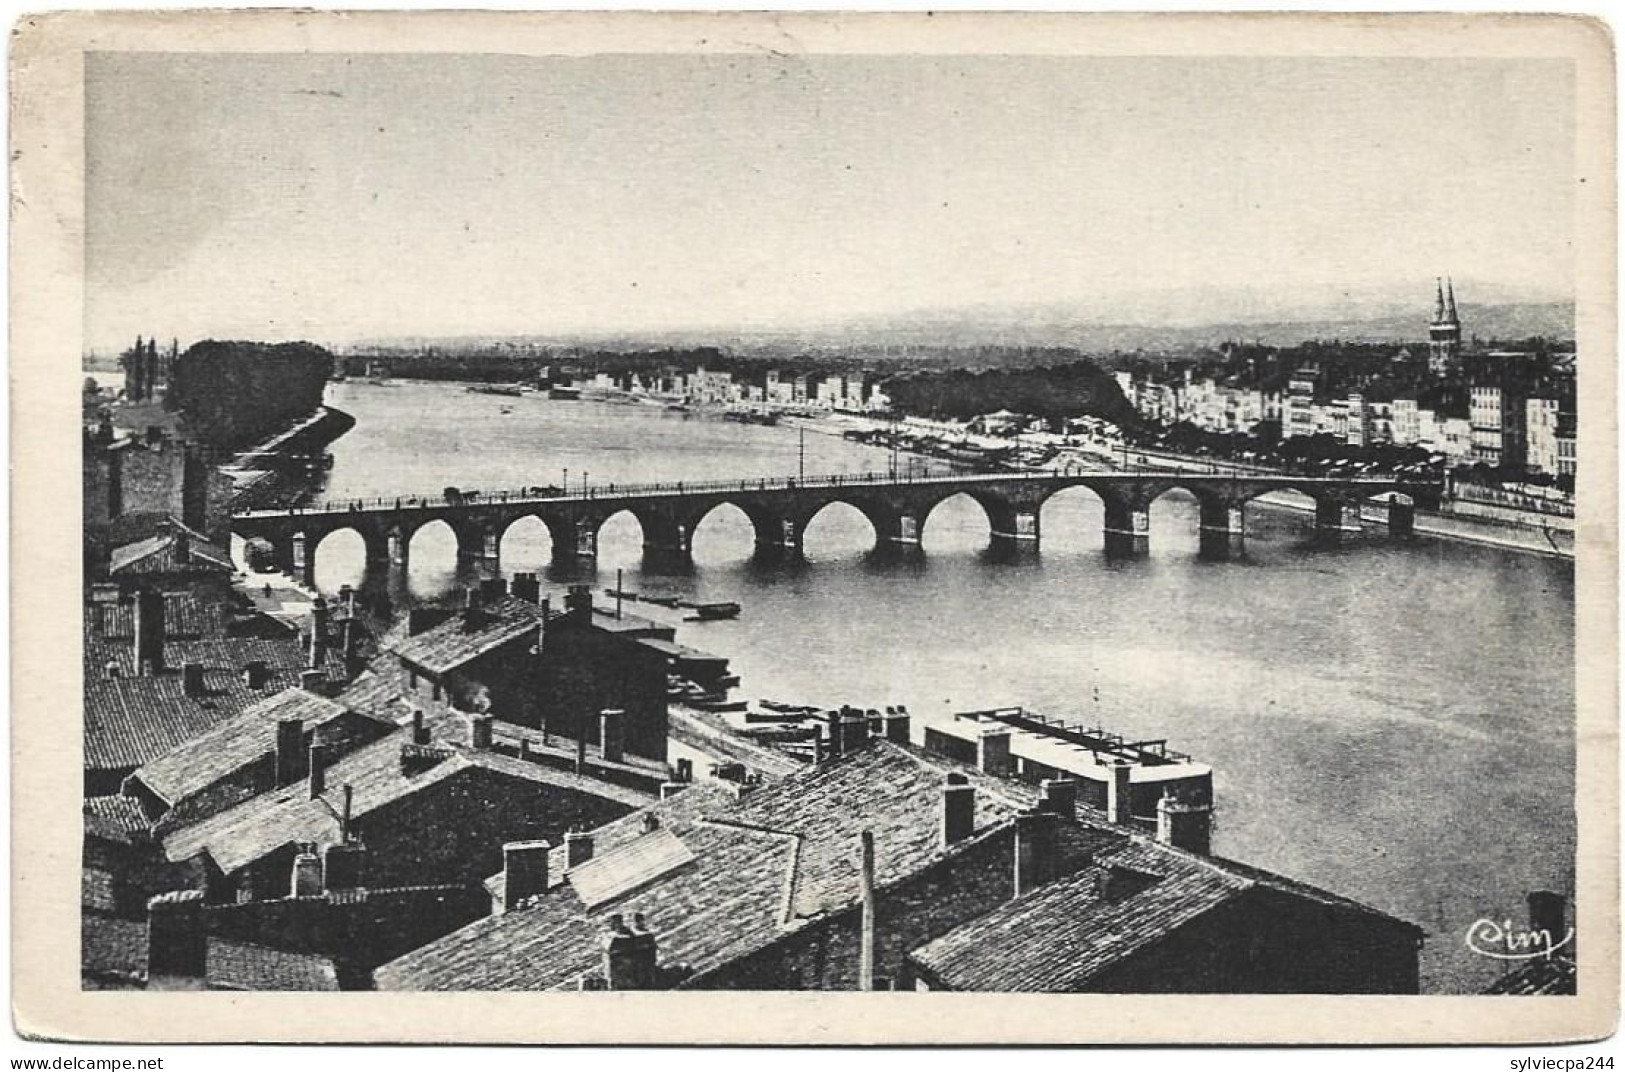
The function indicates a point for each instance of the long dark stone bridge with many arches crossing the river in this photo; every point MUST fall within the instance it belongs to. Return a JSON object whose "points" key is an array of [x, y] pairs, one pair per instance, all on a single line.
{"points": [[782, 508]]}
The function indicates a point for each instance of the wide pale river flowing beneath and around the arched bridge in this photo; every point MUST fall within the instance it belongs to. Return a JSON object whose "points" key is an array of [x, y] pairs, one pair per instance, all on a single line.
{"points": [[1393, 724]]}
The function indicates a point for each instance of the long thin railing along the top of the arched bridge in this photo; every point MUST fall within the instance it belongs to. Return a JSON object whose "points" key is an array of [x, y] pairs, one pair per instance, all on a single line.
{"points": [[548, 495]]}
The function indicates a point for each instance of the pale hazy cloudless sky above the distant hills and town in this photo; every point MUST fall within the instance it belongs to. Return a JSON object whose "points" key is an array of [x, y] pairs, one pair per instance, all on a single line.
{"points": [[347, 197]]}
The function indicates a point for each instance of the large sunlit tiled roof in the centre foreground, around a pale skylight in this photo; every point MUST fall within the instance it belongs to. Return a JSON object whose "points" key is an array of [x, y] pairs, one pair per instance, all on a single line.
{"points": [[763, 868]]}
